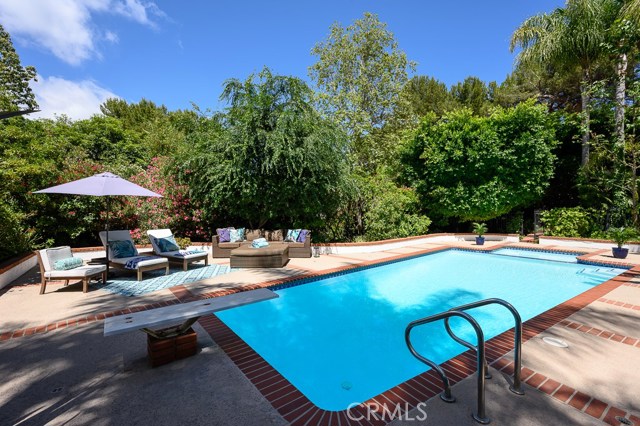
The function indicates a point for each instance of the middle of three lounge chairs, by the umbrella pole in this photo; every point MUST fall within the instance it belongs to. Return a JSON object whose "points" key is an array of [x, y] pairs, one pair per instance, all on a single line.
{"points": [[139, 262]]}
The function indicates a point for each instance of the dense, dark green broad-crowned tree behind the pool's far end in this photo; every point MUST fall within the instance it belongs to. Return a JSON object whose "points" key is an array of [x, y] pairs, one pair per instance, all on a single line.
{"points": [[478, 168]]}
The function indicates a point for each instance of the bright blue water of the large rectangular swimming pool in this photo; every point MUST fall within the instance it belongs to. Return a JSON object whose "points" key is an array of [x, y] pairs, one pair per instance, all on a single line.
{"points": [[340, 340]]}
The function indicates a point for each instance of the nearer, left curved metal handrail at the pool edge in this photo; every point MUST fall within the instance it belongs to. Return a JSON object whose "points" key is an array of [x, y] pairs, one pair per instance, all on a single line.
{"points": [[480, 416]]}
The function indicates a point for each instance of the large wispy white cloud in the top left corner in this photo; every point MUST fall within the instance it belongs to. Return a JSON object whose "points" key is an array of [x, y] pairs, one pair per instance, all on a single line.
{"points": [[66, 27]]}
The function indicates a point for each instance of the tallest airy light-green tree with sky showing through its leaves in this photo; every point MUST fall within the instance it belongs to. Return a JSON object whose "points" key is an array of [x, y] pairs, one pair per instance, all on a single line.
{"points": [[360, 72]]}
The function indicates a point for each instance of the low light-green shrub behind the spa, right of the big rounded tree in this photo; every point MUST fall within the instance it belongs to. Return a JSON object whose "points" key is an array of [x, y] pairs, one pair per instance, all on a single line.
{"points": [[571, 221]]}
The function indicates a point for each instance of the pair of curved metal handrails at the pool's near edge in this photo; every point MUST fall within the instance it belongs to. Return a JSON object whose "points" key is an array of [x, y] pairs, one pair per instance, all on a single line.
{"points": [[482, 372]]}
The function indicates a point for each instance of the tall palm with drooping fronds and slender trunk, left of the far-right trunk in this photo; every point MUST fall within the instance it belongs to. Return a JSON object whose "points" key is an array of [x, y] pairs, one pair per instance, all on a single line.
{"points": [[565, 38]]}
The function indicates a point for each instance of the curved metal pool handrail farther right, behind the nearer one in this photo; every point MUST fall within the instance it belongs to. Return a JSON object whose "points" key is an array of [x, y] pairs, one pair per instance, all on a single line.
{"points": [[516, 387]]}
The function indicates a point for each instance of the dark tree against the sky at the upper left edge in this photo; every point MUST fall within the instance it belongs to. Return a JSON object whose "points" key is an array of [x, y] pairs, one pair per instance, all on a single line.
{"points": [[15, 92]]}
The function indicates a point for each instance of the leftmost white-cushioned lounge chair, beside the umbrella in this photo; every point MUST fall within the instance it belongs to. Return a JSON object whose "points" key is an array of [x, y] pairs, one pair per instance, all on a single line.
{"points": [[47, 259]]}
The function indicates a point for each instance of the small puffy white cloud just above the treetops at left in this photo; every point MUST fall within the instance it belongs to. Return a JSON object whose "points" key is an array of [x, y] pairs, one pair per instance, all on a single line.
{"points": [[75, 99]]}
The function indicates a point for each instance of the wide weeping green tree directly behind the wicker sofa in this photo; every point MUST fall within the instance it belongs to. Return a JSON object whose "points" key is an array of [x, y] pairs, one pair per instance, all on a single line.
{"points": [[270, 158]]}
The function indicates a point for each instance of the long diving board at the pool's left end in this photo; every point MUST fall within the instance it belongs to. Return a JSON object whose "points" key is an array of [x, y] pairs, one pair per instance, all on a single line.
{"points": [[151, 320]]}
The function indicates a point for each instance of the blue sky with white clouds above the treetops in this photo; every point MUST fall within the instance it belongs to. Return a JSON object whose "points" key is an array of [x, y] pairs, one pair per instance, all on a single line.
{"points": [[178, 52]]}
